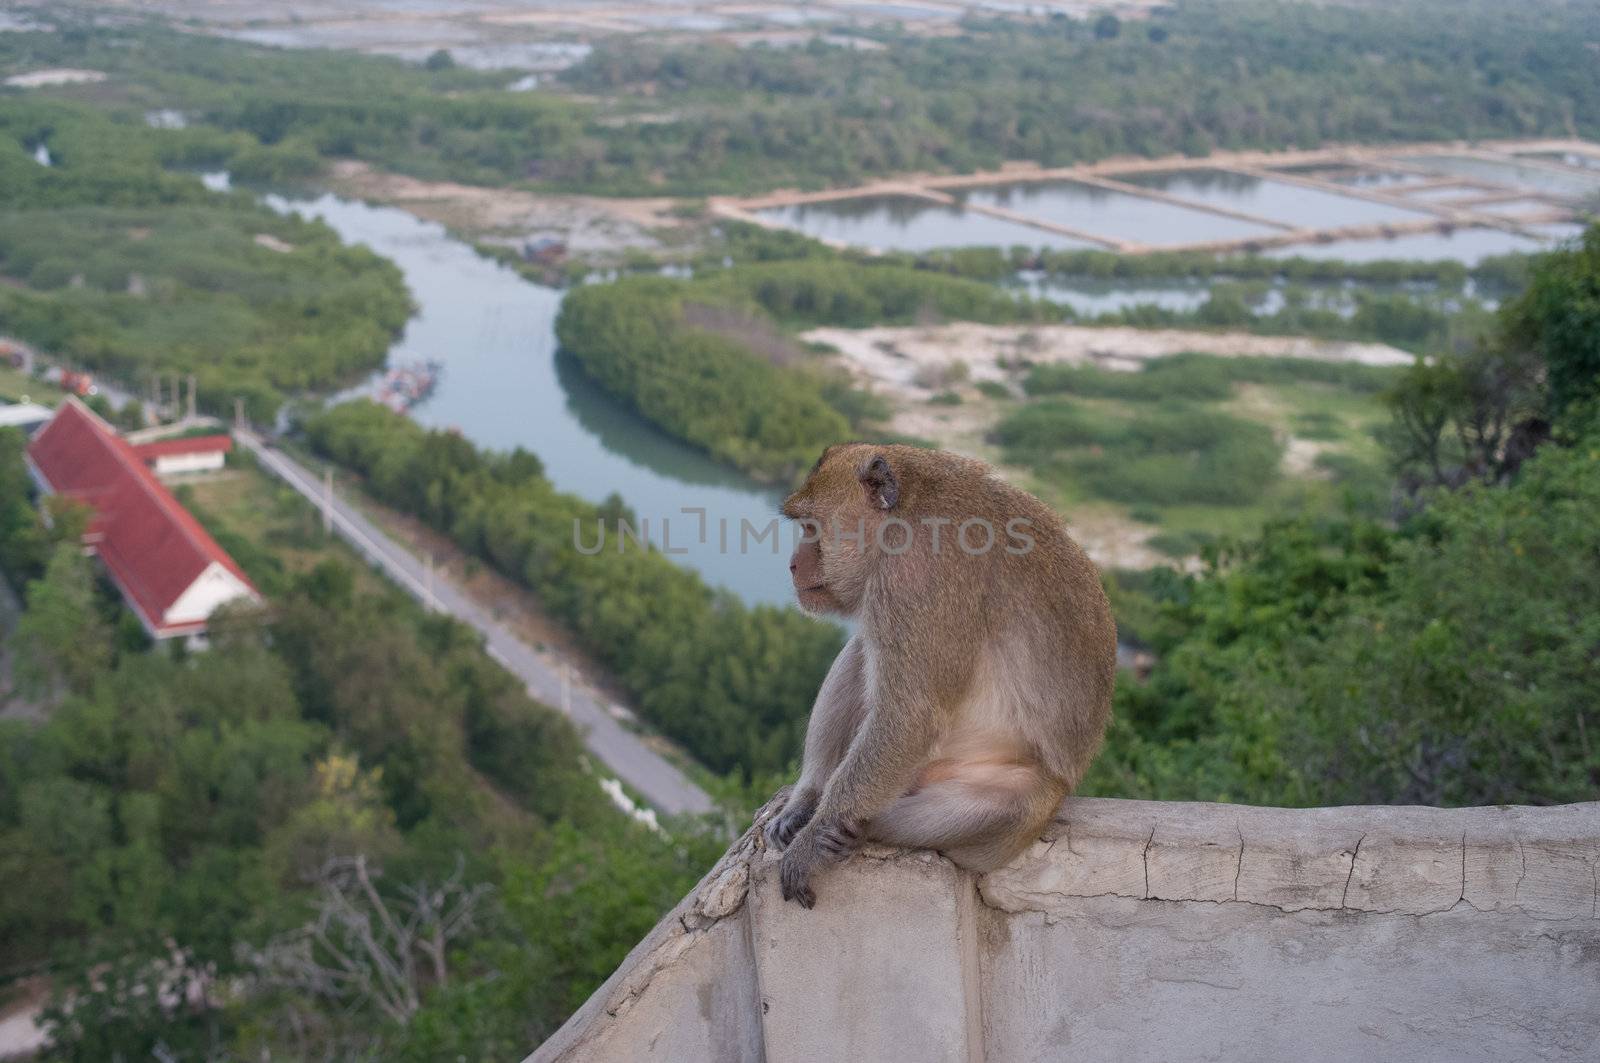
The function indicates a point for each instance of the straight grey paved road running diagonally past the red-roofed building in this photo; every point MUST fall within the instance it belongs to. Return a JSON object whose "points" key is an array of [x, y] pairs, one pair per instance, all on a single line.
{"points": [[641, 768]]}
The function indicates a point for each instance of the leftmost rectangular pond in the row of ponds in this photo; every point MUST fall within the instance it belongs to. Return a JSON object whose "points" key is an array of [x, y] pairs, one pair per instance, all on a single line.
{"points": [[905, 223]]}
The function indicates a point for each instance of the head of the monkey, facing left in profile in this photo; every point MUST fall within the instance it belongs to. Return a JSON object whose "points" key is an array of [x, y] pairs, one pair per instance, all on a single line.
{"points": [[850, 492]]}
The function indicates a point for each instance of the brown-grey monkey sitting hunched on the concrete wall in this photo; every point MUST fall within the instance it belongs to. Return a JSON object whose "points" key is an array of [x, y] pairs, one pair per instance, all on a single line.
{"points": [[978, 683]]}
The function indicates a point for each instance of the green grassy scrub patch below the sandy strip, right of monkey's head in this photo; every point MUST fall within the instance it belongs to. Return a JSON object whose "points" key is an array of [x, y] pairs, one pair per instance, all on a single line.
{"points": [[1198, 446]]}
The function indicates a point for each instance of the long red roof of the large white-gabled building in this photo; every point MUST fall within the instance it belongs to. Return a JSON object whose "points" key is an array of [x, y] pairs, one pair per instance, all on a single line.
{"points": [[150, 544]]}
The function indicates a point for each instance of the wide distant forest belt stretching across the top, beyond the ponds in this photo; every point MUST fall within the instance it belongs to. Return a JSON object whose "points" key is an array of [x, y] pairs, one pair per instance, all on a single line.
{"points": [[722, 119]]}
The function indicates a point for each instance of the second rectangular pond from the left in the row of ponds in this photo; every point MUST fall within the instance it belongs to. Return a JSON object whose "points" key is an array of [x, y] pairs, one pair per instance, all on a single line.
{"points": [[1118, 215]]}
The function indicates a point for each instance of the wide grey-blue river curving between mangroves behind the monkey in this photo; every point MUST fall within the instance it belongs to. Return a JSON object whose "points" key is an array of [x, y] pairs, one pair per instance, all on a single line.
{"points": [[505, 387]]}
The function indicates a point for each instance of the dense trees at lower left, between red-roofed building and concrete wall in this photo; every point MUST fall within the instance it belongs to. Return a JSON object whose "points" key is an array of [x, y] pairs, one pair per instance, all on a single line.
{"points": [[177, 827]]}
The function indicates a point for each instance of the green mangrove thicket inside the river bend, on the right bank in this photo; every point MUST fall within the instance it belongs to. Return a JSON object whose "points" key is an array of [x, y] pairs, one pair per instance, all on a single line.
{"points": [[706, 363]]}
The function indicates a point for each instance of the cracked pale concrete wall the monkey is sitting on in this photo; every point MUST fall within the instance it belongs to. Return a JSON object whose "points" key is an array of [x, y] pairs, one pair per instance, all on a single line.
{"points": [[1140, 931]]}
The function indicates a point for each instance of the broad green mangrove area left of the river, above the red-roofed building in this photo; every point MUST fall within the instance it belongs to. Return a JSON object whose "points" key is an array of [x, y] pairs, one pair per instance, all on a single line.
{"points": [[119, 267]]}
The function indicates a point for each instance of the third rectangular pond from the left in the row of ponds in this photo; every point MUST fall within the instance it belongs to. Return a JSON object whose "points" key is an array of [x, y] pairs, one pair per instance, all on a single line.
{"points": [[1274, 201]]}
